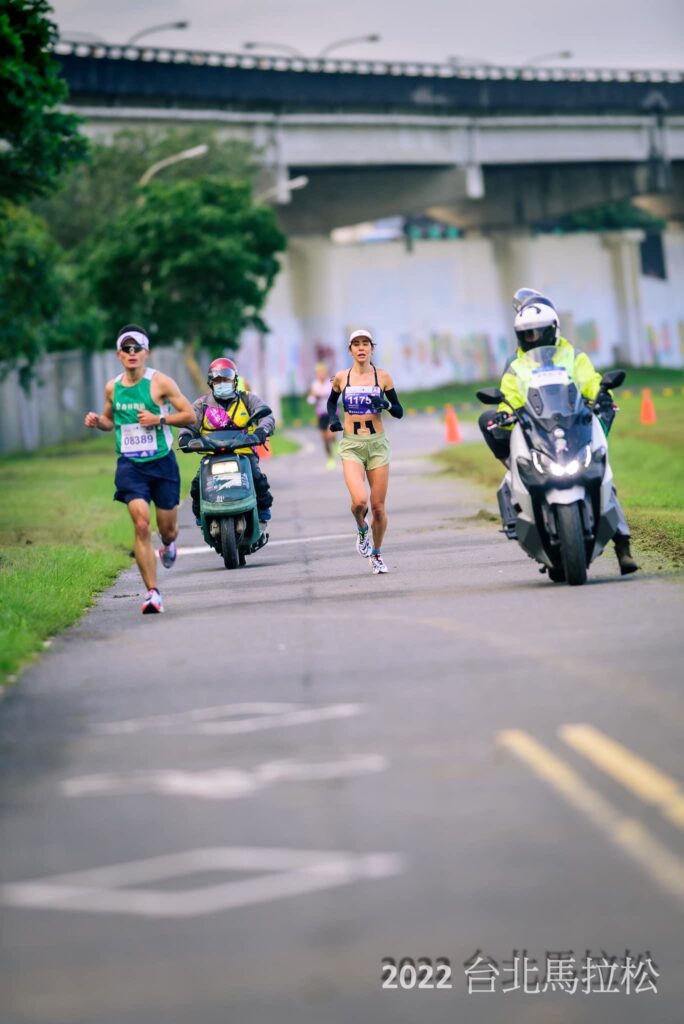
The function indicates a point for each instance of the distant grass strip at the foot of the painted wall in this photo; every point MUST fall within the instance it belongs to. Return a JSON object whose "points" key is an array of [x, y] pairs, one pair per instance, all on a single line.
{"points": [[296, 412]]}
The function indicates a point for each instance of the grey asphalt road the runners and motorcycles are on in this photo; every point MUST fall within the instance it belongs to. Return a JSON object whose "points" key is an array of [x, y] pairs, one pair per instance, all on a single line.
{"points": [[231, 814]]}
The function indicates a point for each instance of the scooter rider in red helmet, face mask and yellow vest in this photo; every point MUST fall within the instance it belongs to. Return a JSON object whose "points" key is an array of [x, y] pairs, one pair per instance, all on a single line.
{"points": [[227, 408]]}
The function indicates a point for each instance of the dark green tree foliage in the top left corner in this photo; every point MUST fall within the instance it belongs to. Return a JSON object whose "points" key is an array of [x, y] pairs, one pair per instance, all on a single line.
{"points": [[37, 142]]}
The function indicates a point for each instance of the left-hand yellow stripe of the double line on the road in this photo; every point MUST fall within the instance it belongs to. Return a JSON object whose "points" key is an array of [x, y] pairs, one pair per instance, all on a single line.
{"points": [[631, 836]]}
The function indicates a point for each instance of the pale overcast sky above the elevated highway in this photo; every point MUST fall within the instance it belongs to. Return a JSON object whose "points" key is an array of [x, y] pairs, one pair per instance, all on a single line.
{"points": [[600, 33]]}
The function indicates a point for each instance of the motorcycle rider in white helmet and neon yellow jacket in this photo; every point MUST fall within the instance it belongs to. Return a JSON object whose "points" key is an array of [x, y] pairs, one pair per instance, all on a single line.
{"points": [[536, 325]]}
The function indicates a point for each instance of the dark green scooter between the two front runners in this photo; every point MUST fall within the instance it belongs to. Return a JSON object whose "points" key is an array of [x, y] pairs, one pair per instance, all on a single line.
{"points": [[228, 498]]}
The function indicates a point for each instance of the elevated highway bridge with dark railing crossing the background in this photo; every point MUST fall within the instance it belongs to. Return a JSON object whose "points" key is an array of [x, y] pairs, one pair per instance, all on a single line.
{"points": [[483, 148]]}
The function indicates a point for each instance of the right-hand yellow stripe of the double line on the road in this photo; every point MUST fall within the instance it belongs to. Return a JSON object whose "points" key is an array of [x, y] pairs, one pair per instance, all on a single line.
{"points": [[639, 777]]}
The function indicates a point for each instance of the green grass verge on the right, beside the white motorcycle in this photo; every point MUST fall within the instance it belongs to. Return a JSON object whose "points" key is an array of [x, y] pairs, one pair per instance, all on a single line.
{"points": [[649, 465]]}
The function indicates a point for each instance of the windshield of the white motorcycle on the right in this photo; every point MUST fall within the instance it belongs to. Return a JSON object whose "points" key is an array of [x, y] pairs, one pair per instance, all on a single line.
{"points": [[559, 423]]}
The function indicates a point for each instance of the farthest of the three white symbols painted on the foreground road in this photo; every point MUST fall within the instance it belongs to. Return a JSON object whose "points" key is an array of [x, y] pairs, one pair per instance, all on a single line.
{"points": [[223, 720]]}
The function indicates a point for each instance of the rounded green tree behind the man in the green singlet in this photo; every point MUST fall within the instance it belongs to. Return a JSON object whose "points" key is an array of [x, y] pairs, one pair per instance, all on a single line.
{"points": [[193, 261]]}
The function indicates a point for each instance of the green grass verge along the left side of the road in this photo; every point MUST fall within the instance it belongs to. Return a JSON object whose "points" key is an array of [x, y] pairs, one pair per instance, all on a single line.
{"points": [[63, 539]]}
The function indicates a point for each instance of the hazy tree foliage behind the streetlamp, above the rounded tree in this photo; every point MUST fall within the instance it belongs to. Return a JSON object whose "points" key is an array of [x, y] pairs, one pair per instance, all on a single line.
{"points": [[95, 192]]}
